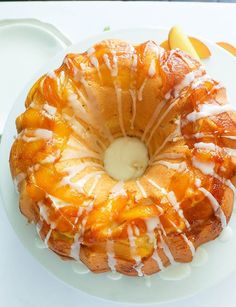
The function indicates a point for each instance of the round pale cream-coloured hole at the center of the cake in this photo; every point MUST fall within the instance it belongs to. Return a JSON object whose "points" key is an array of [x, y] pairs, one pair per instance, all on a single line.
{"points": [[126, 158]]}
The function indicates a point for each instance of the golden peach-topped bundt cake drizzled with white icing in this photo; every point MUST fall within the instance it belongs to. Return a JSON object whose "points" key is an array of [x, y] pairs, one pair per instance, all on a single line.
{"points": [[160, 114]]}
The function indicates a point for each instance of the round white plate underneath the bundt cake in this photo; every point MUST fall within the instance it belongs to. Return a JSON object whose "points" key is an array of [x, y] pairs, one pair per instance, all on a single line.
{"points": [[221, 256]]}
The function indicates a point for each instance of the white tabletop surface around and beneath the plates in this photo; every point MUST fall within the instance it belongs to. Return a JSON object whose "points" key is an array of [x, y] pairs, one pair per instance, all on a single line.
{"points": [[23, 282]]}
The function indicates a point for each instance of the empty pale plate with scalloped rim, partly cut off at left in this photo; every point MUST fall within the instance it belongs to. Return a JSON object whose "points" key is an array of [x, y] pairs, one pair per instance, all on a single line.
{"points": [[22, 39]]}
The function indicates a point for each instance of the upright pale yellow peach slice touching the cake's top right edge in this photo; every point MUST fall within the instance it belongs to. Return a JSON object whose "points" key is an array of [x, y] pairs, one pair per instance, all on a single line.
{"points": [[177, 39]]}
